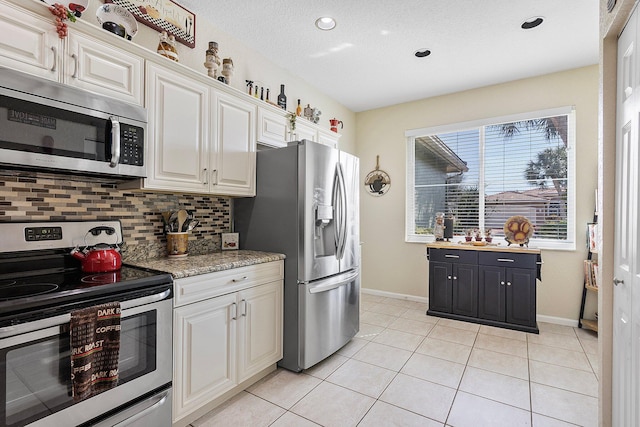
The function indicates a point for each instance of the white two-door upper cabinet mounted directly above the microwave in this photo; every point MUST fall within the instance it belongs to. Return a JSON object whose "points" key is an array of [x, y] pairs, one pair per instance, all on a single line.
{"points": [[31, 44]]}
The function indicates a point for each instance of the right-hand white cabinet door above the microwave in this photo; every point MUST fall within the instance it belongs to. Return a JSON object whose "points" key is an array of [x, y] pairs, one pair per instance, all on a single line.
{"points": [[95, 66]]}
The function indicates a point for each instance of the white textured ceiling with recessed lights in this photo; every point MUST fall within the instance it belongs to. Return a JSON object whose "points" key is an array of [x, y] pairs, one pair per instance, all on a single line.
{"points": [[368, 60]]}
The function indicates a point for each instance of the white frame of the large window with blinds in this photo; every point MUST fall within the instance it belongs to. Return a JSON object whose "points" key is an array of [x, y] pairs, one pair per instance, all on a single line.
{"points": [[412, 134]]}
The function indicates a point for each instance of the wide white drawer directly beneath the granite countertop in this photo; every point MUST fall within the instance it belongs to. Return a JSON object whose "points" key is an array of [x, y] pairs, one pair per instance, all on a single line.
{"points": [[210, 285]]}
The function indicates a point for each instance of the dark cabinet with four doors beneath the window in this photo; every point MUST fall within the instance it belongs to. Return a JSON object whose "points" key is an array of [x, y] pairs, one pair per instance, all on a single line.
{"points": [[489, 287]]}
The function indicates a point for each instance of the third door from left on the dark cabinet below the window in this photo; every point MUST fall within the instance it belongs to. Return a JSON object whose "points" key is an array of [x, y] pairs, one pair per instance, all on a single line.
{"points": [[491, 293]]}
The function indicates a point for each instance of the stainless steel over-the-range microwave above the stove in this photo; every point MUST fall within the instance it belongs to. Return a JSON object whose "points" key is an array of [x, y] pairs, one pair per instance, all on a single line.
{"points": [[45, 125]]}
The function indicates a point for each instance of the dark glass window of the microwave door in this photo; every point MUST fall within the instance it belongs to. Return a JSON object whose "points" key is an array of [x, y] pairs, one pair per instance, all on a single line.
{"points": [[36, 128]]}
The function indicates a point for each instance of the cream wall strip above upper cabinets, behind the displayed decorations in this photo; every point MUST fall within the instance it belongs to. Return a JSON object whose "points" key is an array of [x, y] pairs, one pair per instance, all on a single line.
{"points": [[249, 65]]}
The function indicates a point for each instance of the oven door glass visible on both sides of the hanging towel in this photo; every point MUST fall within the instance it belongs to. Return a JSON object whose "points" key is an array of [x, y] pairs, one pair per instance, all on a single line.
{"points": [[37, 374]]}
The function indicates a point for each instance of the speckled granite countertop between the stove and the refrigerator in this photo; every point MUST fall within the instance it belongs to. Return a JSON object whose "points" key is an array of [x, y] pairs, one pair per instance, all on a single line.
{"points": [[193, 265]]}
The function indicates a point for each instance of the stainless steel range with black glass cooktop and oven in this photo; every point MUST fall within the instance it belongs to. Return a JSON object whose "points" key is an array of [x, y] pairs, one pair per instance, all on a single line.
{"points": [[35, 355]]}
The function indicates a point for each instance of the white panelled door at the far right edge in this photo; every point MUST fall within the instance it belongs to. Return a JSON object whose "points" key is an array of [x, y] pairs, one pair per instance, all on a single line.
{"points": [[626, 293]]}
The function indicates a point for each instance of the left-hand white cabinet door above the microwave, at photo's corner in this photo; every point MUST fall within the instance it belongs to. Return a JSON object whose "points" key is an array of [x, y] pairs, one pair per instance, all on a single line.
{"points": [[29, 43]]}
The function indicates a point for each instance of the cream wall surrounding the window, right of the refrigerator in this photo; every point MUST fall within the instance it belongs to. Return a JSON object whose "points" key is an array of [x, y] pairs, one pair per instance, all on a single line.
{"points": [[390, 264]]}
